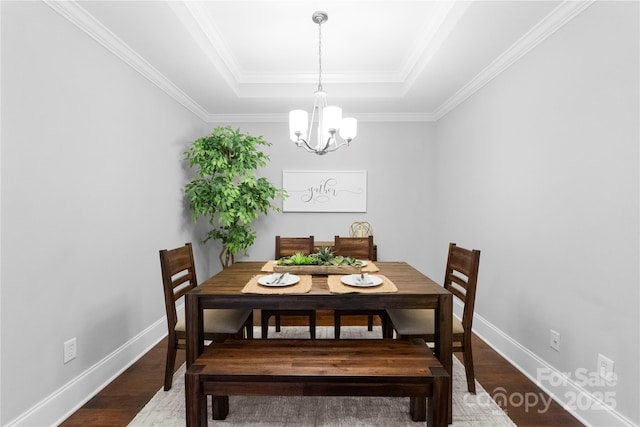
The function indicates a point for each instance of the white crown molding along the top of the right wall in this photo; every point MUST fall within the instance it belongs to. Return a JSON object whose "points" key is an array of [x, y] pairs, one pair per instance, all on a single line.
{"points": [[555, 20]]}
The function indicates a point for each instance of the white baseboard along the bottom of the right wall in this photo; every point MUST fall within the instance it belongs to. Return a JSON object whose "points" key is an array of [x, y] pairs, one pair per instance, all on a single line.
{"points": [[583, 405]]}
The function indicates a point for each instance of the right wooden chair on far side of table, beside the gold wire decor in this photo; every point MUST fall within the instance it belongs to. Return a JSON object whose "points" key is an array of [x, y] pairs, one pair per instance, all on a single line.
{"points": [[361, 248]]}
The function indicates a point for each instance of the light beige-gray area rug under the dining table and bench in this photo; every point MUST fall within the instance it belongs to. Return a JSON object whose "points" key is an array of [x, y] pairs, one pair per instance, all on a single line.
{"points": [[167, 409]]}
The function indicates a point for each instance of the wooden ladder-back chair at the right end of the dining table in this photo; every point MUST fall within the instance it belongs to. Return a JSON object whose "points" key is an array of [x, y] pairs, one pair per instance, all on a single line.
{"points": [[461, 278]]}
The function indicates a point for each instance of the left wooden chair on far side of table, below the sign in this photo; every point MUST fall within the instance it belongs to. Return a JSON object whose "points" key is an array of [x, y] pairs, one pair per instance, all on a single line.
{"points": [[287, 246]]}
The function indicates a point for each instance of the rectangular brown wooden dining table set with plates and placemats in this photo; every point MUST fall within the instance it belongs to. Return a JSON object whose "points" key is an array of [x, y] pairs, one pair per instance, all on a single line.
{"points": [[414, 290]]}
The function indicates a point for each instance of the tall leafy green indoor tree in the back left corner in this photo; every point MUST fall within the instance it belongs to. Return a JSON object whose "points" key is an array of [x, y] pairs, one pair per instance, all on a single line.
{"points": [[226, 190]]}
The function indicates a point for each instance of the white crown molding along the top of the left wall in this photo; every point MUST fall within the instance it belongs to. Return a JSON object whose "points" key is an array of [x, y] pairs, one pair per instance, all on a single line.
{"points": [[78, 16]]}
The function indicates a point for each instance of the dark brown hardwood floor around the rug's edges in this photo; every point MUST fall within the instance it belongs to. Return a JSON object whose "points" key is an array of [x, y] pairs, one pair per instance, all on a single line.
{"points": [[119, 402]]}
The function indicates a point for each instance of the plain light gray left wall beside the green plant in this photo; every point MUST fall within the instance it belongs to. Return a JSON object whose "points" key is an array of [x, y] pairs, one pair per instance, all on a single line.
{"points": [[90, 192]]}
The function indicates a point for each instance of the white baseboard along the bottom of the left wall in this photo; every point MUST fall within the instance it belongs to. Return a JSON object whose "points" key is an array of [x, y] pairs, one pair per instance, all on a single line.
{"points": [[60, 404]]}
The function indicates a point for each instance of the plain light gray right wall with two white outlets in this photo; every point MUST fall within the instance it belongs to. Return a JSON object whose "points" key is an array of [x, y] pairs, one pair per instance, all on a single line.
{"points": [[539, 170]]}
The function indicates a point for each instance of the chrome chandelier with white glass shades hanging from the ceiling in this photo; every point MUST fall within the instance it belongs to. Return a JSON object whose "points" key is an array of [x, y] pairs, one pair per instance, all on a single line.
{"points": [[330, 123]]}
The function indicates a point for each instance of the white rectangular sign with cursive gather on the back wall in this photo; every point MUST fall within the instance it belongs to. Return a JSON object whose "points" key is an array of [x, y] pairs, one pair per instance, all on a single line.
{"points": [[325, 191]]}
